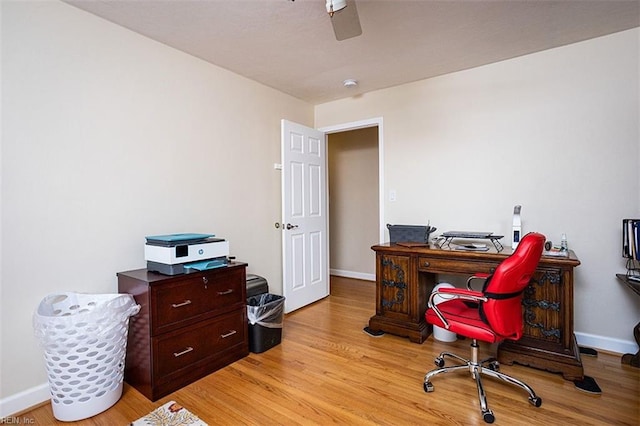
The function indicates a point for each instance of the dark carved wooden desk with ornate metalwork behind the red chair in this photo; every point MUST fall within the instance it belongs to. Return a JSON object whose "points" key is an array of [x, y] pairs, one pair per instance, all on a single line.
{"points": [[405, 277]]}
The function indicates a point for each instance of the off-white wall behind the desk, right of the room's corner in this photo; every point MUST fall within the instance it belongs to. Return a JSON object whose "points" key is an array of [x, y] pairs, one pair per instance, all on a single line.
{"points": [[556, 131]]}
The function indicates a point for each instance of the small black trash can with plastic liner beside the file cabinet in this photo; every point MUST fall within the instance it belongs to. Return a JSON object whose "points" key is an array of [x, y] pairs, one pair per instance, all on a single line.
{"points": [[265, 313]]}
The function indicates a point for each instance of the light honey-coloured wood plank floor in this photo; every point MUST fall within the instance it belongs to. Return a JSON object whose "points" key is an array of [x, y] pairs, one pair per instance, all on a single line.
{"points": [[326, 370]]}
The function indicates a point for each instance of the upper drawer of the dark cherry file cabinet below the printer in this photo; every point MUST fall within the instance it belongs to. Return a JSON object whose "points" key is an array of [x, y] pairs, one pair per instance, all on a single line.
{"points": [[186, 299]]}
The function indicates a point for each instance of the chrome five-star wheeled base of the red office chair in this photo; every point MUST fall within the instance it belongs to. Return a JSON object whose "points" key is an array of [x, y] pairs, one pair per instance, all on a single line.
{"points": [[477, 368]]}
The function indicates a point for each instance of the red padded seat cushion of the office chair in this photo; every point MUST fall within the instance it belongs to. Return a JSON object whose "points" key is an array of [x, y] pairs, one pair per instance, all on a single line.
{"points": [[463, 320]]}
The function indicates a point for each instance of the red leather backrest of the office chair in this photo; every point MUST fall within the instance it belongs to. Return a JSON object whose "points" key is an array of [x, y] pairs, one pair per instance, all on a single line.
{"points": [[503, 311]]}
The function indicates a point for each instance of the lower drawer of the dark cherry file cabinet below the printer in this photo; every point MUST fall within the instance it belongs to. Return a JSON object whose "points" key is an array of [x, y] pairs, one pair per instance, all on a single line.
{"points": [[184, 348]]}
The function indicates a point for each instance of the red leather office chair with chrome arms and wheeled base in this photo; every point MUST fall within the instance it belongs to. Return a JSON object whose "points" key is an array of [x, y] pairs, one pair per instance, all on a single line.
{"points": [[491, 315]]}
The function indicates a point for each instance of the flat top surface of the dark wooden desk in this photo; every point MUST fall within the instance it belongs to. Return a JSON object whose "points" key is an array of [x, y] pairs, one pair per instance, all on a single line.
{"points": [[451, 253]]}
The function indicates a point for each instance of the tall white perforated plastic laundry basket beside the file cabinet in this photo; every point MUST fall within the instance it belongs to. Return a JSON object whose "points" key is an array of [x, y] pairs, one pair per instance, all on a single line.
{"points": [[84, 337]]}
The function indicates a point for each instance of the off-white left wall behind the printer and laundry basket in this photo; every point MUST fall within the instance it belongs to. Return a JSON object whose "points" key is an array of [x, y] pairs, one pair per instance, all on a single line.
{"points": [[107, 137]]}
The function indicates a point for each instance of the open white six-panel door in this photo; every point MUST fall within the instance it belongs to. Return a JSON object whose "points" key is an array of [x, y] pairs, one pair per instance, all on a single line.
{"points": [[305, 267]]}
